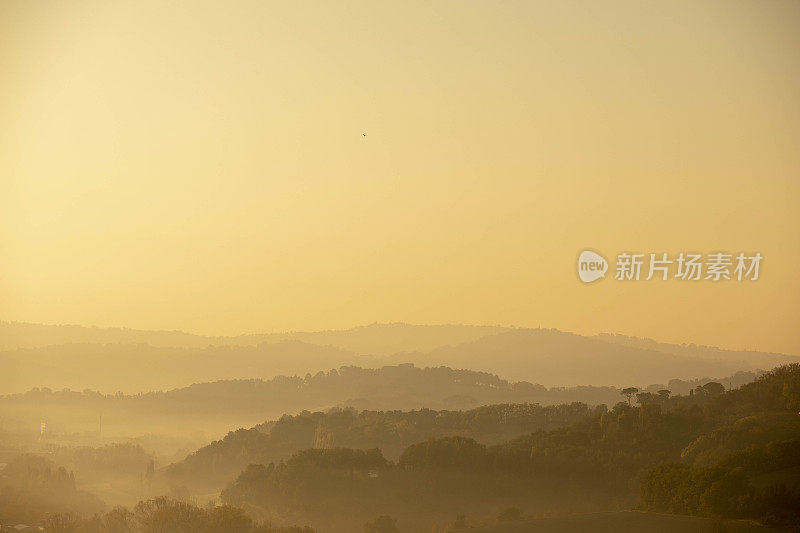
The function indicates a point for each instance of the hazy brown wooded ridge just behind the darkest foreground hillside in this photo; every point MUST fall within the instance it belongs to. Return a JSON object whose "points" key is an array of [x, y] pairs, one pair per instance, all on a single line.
{"points": [[389, 431]]}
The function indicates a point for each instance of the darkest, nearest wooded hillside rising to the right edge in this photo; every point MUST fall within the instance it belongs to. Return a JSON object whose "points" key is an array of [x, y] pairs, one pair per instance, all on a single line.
{"points": [[598, 462]]}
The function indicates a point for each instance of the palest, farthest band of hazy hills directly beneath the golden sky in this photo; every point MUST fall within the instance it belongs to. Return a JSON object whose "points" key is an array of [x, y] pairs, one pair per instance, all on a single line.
{"points": [[111, 360]]}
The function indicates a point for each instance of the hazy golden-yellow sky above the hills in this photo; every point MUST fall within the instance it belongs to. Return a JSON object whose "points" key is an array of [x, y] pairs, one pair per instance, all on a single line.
{"points": [[201, 165]]}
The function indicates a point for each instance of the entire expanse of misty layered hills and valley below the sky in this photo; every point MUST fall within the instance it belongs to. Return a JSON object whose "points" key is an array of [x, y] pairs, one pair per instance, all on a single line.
{"points": [[392, 446]]}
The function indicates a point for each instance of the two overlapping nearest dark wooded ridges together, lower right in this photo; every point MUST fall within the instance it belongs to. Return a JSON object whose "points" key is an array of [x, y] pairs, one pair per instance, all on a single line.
{"points": [[710, 454]]}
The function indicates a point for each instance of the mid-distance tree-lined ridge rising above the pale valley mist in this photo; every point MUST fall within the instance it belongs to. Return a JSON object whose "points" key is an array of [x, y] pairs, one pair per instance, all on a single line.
{"points": [[216, 407]]}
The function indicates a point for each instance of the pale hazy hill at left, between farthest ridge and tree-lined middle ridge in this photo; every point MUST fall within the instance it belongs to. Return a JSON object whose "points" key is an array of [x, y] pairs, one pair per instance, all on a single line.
{"points": [[133, 368]]}
